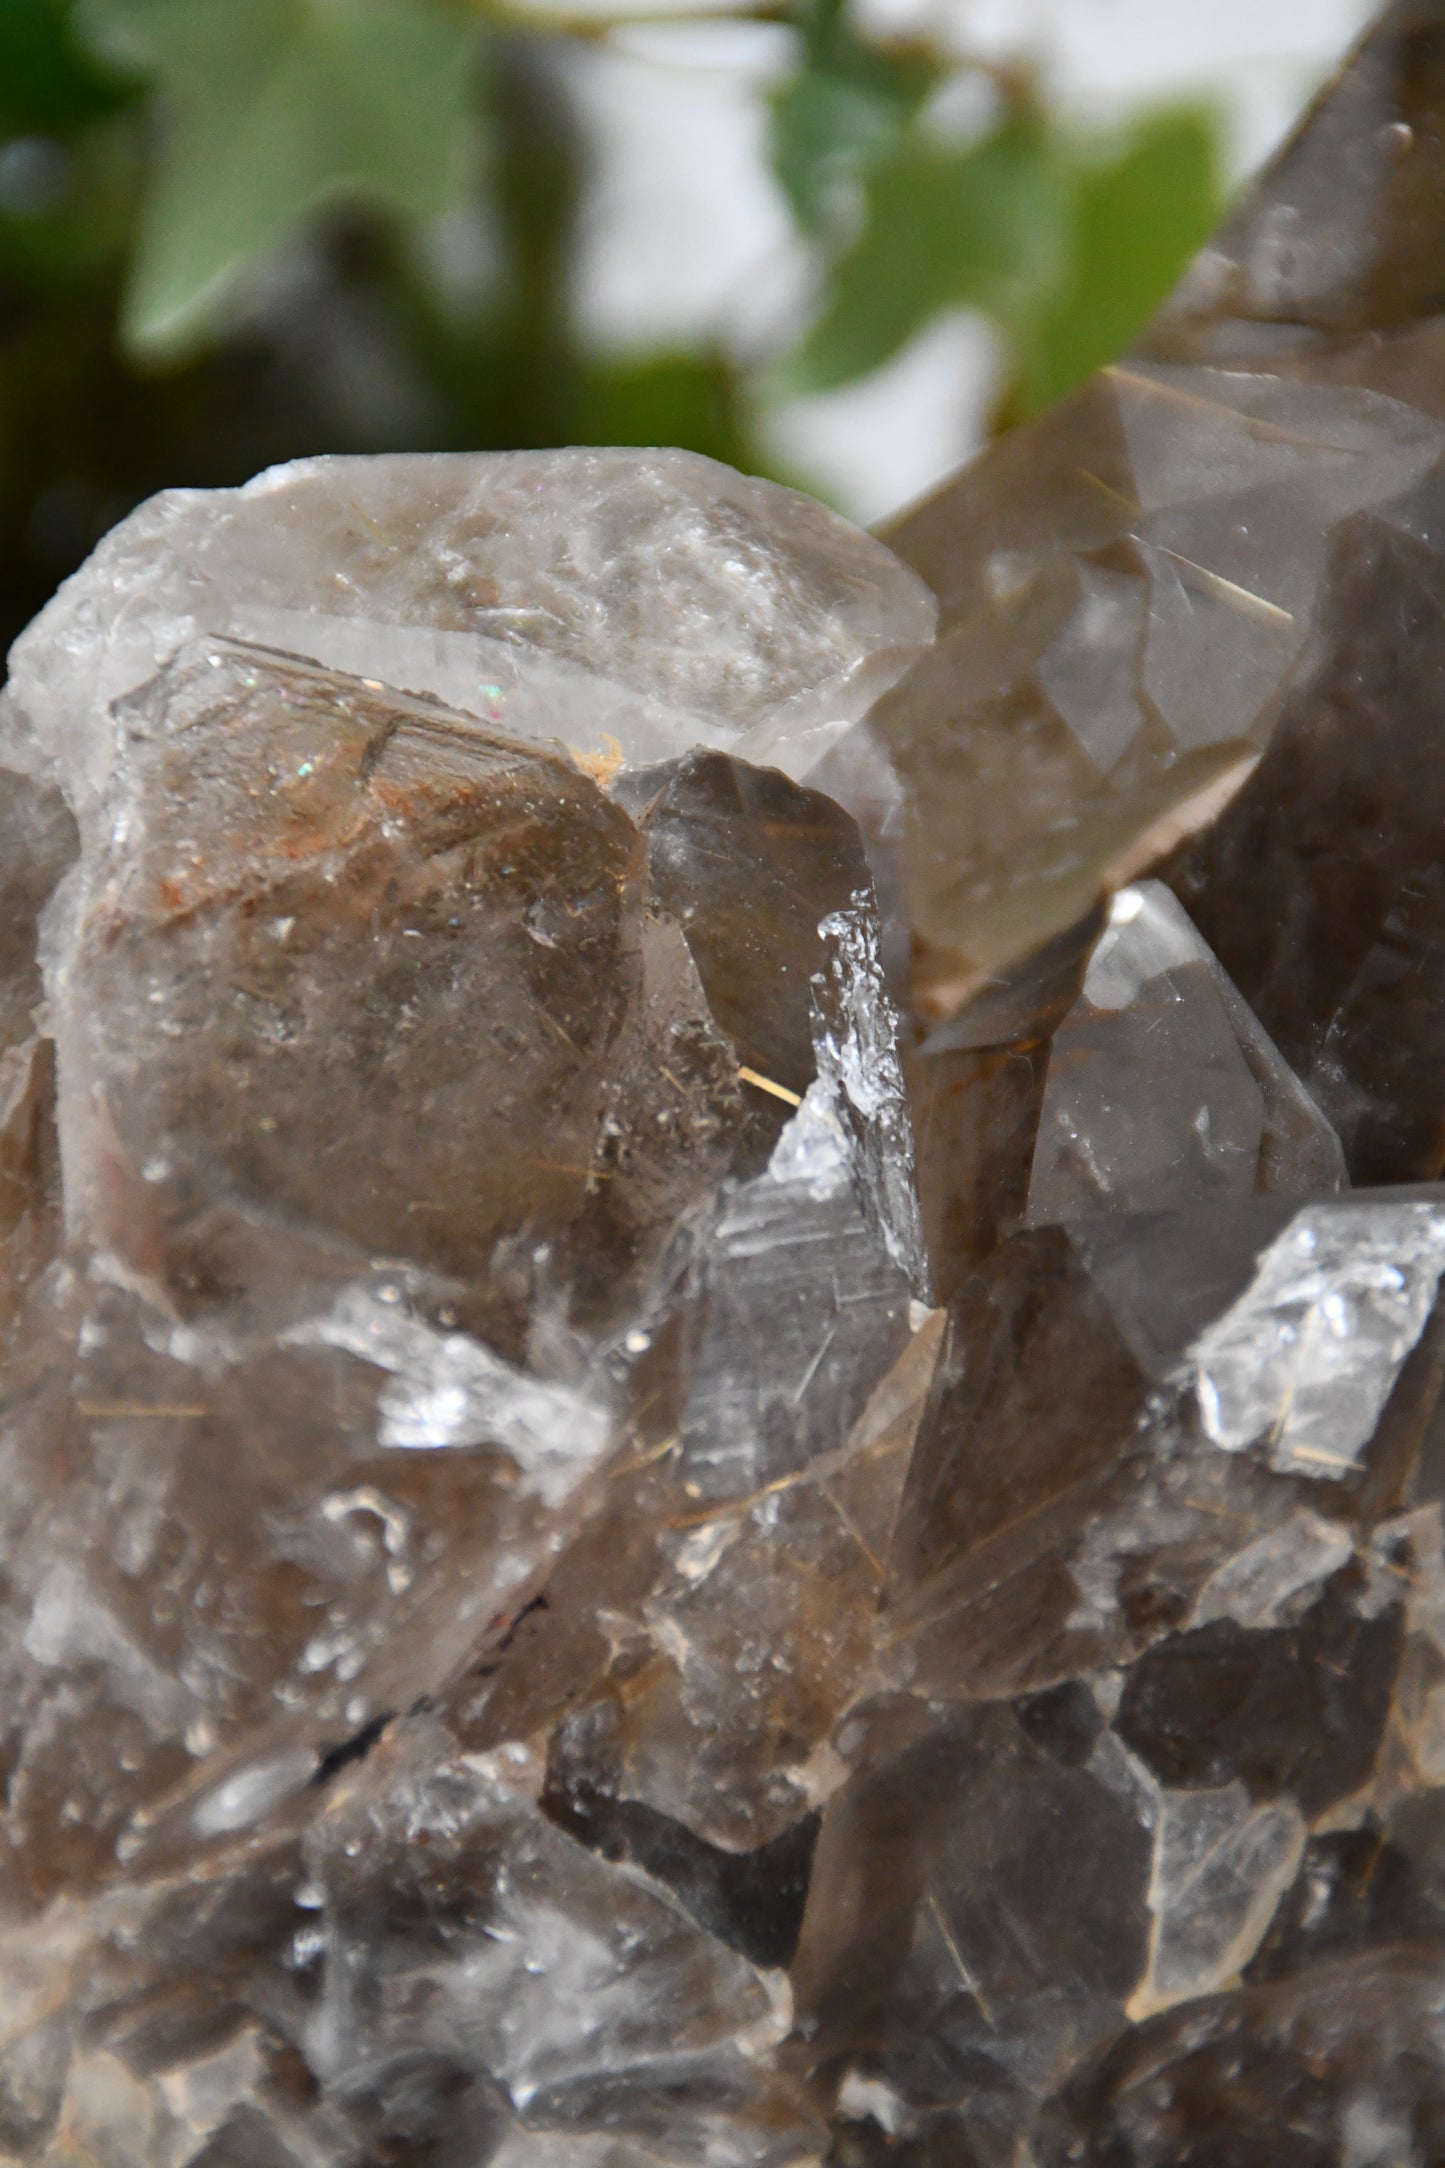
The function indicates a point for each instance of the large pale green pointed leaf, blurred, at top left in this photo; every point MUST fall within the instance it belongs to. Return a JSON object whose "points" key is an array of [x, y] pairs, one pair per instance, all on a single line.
{"points": [[274, 107]]}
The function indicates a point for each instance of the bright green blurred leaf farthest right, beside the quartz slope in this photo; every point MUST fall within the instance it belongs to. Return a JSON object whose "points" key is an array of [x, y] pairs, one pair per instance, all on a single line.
{"points": [[1141, 211]]}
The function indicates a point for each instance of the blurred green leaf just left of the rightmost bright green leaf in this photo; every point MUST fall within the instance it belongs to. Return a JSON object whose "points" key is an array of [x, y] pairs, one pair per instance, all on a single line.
{"points": [[982, 227]]}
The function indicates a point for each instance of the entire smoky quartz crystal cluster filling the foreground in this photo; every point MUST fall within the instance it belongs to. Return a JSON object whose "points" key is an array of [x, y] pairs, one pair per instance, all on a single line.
{"points": [[722, 1350]]}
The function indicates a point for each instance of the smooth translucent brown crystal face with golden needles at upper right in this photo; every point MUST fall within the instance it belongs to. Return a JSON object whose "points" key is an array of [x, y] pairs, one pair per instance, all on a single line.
{"points": [[1128, 593]]}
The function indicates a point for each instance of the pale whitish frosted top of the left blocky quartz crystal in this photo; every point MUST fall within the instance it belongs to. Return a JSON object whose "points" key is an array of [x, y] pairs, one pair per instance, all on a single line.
{"points": [[629, 604]]}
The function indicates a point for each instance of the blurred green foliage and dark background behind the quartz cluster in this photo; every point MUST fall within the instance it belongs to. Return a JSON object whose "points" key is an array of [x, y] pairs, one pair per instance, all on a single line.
{"points": [[218, 244]]}
